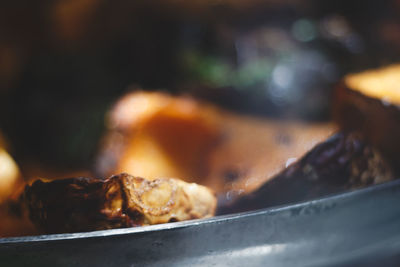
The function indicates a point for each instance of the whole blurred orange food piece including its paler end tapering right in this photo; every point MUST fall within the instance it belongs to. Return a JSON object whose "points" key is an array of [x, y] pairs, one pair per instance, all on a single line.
{"points": [[158, 135]]}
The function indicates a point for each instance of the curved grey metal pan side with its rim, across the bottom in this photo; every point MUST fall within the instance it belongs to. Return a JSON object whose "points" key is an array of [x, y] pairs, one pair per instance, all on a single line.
{"points": [[360, 228]]}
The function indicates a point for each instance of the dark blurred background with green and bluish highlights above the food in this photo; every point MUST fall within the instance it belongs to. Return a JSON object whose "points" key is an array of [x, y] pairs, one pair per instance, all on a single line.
{"points": [[64, 62]]}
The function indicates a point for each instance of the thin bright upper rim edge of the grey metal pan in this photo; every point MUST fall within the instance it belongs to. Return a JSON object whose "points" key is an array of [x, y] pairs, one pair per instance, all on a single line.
{"points": [[199, 222]]}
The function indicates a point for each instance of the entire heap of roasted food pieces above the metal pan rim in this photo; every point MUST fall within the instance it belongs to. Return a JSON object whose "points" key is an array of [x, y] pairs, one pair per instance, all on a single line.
{"points": [[170, 158]]}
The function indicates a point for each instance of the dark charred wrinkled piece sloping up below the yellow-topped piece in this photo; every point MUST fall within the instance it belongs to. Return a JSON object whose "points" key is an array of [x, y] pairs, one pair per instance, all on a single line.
{"points": [[343, 162]]}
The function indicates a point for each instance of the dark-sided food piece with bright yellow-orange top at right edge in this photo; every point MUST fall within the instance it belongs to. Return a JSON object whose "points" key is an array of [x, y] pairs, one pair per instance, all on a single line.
{"points": [[369, 102]]}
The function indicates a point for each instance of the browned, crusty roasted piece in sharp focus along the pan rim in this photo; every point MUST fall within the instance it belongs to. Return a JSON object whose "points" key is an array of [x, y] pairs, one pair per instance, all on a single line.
{"points": [[86, 204]]}
